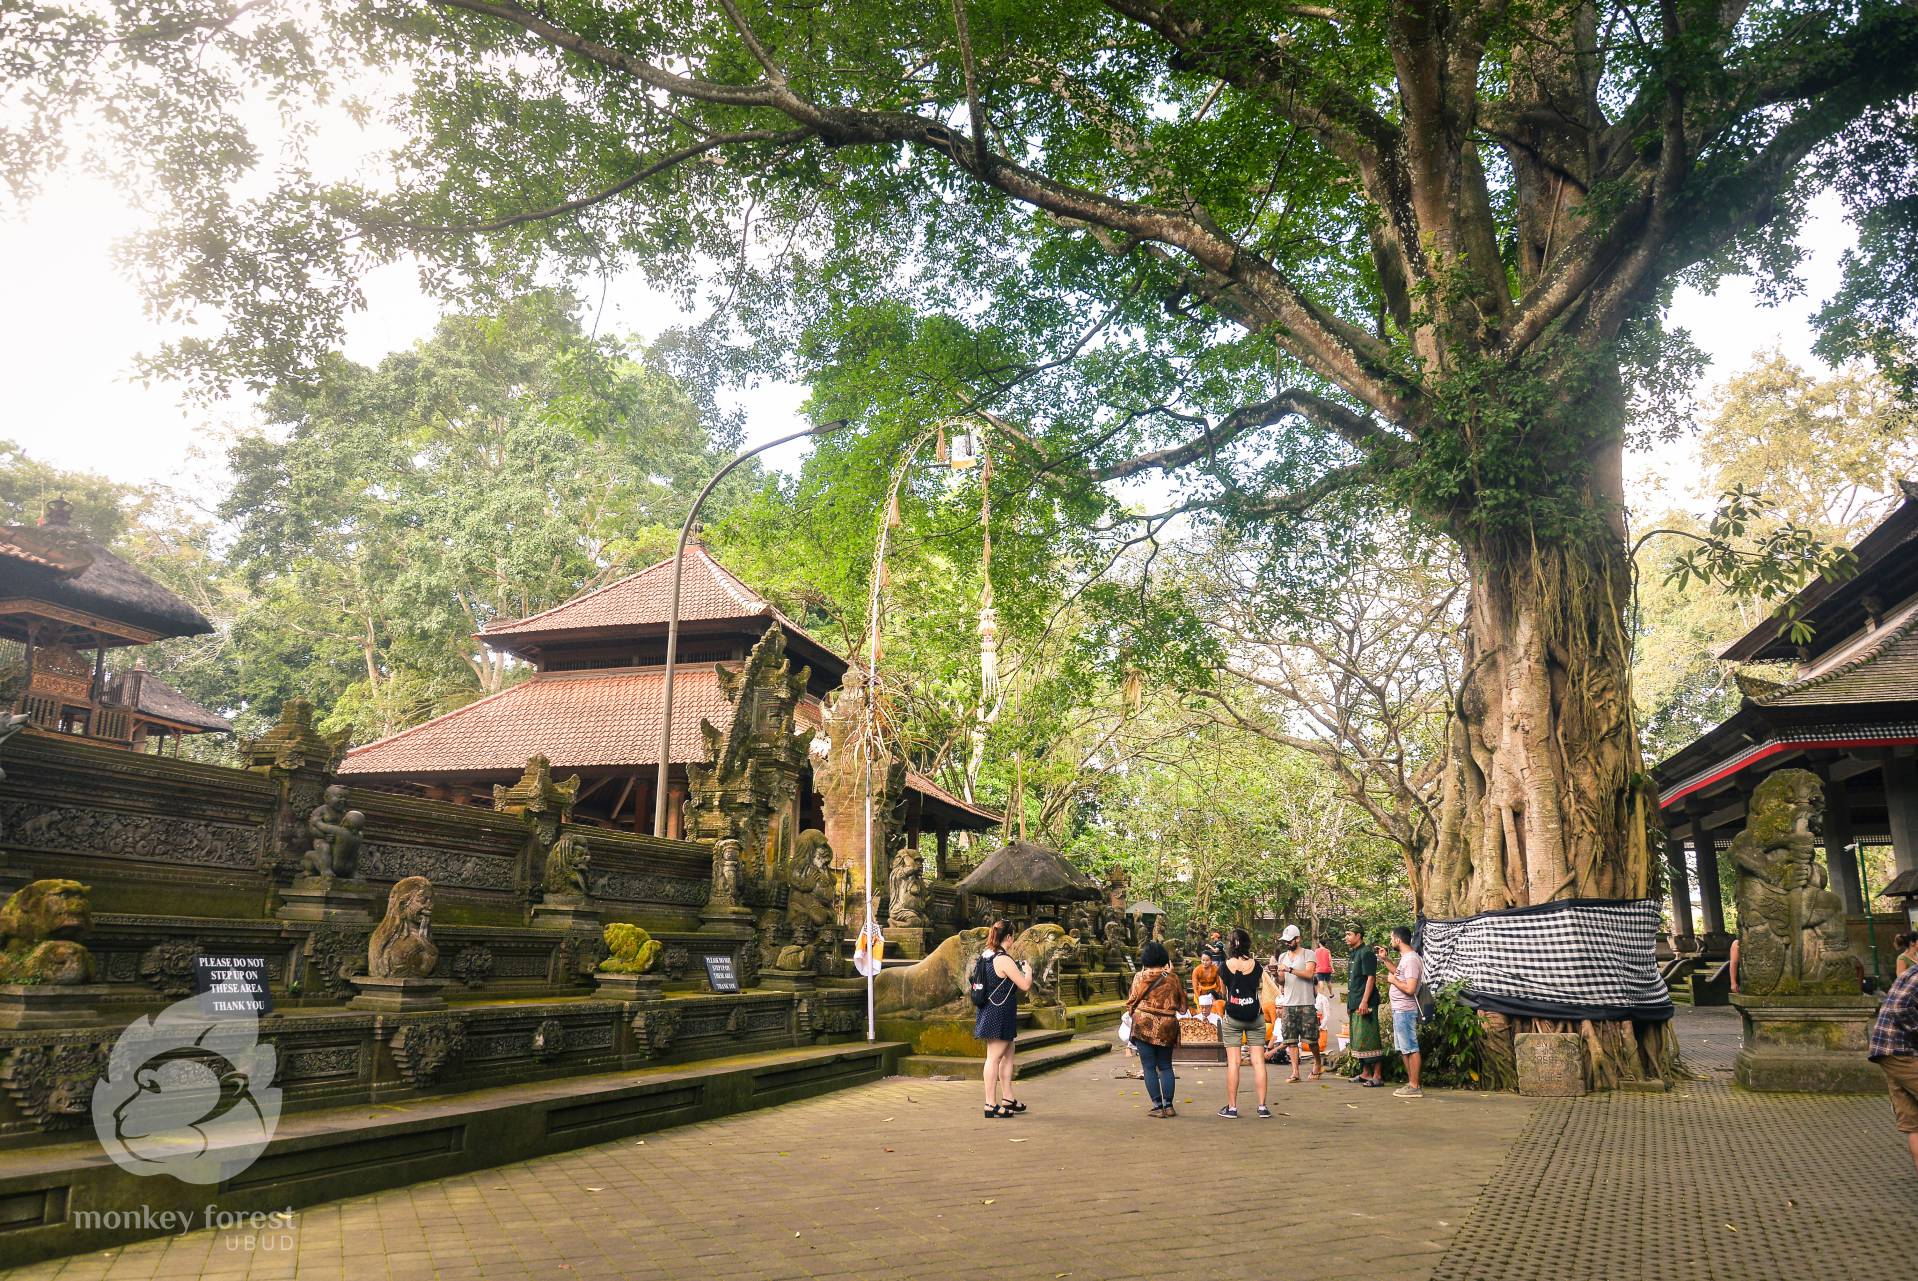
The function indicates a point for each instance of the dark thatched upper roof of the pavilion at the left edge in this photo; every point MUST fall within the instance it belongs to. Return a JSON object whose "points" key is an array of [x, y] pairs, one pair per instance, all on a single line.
{"points": [[60, 567]]}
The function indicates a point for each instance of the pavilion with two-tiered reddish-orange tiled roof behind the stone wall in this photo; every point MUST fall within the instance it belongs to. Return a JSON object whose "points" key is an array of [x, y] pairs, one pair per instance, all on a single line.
{"points": [[592, 707]]}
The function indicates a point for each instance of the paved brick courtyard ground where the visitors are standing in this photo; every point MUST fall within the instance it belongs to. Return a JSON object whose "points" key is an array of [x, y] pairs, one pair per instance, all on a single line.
{"points": [[904, 1180]]}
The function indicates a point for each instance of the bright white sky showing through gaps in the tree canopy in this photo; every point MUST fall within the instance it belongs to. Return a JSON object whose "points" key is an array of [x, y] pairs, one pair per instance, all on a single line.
{"points": [[74, 329]]}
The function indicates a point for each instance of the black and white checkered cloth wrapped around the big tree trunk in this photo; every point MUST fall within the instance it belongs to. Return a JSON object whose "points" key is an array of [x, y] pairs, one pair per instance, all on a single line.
{"points": [[1568, 960]]}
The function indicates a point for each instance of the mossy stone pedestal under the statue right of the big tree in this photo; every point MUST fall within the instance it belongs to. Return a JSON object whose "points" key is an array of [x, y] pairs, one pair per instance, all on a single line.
{"points": [[1808, 1044]]}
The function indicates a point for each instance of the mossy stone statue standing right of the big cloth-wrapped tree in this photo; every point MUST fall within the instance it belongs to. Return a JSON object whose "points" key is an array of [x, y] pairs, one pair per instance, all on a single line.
{"points": [[1792, 927]]}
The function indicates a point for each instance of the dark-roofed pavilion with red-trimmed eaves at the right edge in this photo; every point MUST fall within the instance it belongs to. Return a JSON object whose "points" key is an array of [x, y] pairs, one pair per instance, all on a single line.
{"points": [[1848, 710]]}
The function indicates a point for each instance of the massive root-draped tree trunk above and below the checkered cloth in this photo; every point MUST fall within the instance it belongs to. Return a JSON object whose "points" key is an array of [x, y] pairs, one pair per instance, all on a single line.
{"points": [[1547, 797]]}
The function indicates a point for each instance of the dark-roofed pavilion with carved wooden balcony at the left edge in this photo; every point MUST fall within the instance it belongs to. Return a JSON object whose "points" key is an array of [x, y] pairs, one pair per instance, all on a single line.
{"points": [[64, 603]]}
